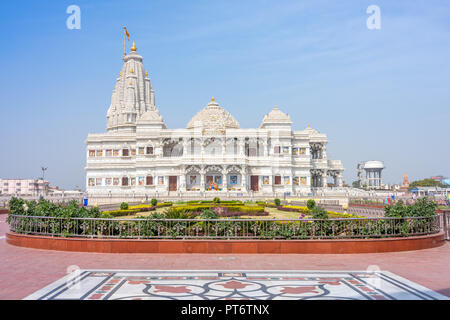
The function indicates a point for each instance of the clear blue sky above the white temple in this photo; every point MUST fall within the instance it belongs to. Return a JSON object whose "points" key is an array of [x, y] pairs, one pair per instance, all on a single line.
{"points": [[377, 94]]}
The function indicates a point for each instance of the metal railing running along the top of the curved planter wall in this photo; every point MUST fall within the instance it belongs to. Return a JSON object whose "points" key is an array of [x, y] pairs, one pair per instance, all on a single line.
{"points": [[146, 228]]}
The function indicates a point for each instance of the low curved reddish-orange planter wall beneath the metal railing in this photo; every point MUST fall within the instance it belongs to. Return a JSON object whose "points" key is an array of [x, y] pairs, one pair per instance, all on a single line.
{"points": [[226, 246]]}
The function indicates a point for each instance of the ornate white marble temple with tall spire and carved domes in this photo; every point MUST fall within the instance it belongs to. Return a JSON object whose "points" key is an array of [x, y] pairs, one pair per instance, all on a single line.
{"points": [[139, 156]]}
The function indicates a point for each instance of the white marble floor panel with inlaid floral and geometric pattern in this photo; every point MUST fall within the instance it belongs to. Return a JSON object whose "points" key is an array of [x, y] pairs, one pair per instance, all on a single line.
{"points": [[233, 285]]}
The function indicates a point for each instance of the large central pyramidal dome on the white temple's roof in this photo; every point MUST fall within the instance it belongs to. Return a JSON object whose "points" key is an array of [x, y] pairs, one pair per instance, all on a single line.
{"points": [[213, 117]]}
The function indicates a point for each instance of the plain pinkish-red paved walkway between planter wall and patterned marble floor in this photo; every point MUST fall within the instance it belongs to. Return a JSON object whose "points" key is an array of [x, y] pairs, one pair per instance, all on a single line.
{"points": [[24, 271]]}
